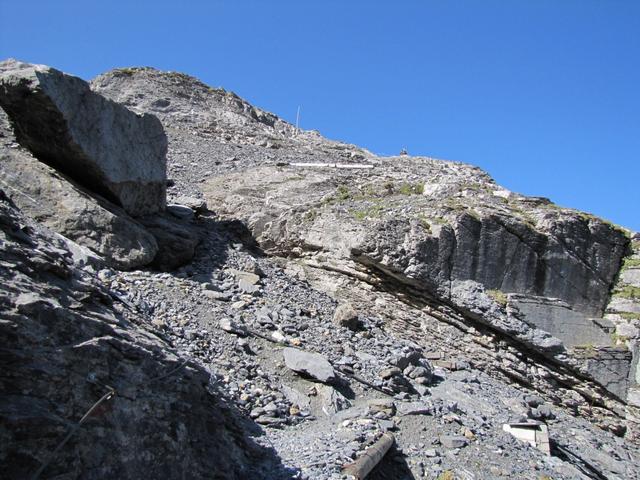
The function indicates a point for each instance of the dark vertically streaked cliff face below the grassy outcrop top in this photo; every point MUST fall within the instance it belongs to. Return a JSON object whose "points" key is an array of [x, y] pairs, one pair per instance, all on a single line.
{"points": [[571, 258]]}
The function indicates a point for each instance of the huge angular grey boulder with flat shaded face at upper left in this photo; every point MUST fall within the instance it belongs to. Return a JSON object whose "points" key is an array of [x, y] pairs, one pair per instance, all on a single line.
{"points": [[98, 142]]}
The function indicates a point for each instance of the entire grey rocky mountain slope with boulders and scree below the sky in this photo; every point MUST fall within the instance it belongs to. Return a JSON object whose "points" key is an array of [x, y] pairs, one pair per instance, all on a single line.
{"points": [[292, 299]]}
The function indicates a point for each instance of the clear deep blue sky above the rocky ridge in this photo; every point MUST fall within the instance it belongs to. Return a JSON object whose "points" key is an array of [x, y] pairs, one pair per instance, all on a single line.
{"points": [[543, 94]]}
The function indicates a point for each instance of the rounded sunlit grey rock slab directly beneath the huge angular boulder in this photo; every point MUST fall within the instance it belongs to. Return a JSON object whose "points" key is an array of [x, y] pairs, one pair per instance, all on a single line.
{"points": [[50, 198]]}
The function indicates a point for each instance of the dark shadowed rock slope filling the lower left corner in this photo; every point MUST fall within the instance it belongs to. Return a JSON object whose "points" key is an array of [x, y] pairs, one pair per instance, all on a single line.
{"points": [[150, 413]]}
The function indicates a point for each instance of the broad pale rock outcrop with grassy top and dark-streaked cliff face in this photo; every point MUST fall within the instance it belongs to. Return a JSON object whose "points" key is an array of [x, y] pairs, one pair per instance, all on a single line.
{"points": [[434, 226]]}
